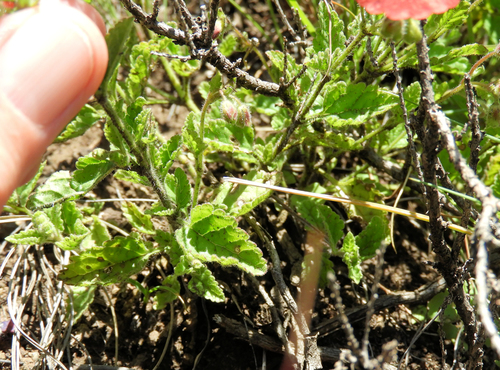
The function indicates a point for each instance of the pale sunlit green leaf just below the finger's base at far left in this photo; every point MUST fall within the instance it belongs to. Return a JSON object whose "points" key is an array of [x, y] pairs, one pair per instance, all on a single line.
{"points": [[55, 190]]}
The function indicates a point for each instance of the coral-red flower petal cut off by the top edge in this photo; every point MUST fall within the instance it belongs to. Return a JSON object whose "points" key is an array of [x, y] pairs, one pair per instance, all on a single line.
{"points": [[397, 10]]}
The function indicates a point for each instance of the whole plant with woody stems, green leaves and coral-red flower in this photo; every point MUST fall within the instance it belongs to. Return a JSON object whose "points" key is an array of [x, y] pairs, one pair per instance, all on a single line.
{"points": [[338, 118]]}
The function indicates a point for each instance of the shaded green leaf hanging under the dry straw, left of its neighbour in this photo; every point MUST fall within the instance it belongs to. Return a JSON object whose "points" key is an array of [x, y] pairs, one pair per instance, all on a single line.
{"points": [[321, 217]]}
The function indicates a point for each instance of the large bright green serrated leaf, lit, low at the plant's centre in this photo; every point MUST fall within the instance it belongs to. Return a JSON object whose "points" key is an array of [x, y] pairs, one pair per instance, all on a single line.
{"points": [[213, 236]]}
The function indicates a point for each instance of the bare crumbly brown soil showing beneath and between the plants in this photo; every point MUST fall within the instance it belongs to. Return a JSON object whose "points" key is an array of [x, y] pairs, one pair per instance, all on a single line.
{"points": [[198, 337]]}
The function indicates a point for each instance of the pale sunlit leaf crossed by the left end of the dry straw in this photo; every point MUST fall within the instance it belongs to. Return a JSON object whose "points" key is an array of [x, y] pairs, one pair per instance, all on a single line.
{"points": [[245, 198]]}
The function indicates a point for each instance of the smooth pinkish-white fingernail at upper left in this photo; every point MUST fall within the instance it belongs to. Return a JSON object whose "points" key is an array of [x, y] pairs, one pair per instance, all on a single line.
{"points": [[43, 67]]}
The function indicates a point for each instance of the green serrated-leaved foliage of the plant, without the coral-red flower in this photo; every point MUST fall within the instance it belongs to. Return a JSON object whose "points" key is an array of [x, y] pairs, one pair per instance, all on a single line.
{"points": [[331, 102]]}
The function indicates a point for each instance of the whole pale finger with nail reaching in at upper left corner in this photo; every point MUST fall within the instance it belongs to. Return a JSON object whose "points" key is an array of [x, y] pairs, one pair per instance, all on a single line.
{"points": [[53, 57]]}
